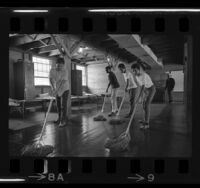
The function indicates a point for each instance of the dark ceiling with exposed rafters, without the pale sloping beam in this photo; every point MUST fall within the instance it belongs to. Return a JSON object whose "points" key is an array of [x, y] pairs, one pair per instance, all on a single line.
{"points": [[168, 48]]}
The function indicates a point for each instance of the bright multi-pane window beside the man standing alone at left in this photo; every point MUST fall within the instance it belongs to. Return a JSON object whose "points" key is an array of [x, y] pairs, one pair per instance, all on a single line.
{"points": [[42, 68]]}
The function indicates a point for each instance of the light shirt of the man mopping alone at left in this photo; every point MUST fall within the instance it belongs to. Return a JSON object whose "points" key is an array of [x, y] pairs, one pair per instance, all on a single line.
{"points": [[57, 77]]}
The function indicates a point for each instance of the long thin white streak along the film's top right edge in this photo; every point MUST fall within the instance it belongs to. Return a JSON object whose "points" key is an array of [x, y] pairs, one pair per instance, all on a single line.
{"points": [[144, 10]]}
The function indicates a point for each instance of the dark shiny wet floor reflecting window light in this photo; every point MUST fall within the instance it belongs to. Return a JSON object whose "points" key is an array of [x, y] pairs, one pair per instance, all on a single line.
{"points": [[82, 137]]}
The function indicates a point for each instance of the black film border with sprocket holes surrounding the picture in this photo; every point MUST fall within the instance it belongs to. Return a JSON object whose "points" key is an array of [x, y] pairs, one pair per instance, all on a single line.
{"points": [[107, 170]]}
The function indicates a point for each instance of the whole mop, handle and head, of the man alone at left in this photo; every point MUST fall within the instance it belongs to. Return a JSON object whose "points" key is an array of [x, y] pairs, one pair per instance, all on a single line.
{"points": [[39, 148]]}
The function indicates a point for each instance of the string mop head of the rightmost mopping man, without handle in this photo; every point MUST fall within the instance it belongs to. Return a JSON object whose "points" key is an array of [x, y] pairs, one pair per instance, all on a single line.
{"points": [[118, 144]]}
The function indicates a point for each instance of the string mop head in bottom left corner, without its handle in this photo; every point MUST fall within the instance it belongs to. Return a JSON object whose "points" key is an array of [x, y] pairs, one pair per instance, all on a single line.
{"points": [[37, 150]]}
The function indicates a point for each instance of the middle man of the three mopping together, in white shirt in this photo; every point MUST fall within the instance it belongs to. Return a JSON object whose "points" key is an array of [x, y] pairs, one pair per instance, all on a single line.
{"points": [[132, 87]]}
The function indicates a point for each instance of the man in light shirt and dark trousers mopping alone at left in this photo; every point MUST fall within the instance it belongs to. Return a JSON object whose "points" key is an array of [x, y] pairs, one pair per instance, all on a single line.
{"points": [[60, 86]]}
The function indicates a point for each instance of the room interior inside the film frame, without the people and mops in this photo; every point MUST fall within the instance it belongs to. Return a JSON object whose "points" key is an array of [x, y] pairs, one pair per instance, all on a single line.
{"points": [[31, 58]]}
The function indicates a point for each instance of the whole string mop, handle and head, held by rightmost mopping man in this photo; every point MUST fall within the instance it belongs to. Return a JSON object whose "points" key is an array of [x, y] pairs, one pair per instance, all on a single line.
{"points": [[121, 142]]}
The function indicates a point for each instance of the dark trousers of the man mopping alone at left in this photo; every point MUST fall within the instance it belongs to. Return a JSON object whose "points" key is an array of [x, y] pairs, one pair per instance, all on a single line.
{"points": [[62, 105]]}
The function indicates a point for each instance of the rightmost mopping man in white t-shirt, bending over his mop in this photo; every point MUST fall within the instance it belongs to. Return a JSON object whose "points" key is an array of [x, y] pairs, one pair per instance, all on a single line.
{"points": [[148, 88]]}
